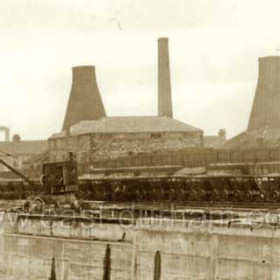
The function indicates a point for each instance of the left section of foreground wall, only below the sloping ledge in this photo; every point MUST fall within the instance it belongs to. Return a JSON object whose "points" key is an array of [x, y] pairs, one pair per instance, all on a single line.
{"points": [[30, 257]]}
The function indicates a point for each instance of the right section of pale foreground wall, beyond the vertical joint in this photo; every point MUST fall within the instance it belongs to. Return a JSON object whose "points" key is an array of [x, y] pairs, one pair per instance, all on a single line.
{"points": [[207, 252]]}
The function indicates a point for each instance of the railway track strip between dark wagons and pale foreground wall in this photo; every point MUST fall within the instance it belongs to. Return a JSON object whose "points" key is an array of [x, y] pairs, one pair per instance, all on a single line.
{"points": [[260, 213]]}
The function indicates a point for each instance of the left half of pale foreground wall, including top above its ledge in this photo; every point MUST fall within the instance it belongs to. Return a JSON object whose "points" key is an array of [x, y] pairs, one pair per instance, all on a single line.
{"points": [[28, 246]]}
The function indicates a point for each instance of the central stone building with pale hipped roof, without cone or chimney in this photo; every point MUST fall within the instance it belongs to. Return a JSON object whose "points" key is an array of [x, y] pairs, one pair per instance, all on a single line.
{"points": [[115, 137]]}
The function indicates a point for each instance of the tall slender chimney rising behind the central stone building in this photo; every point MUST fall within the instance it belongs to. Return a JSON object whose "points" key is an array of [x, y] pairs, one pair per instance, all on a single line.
{"points": [[164, 85]]}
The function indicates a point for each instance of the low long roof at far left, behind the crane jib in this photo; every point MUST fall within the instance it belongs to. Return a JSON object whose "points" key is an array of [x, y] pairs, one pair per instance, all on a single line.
{"points": [[24, 147]]}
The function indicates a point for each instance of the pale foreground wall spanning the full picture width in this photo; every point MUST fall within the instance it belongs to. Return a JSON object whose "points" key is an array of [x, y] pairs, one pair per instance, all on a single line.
{"points": [[168, 250]]}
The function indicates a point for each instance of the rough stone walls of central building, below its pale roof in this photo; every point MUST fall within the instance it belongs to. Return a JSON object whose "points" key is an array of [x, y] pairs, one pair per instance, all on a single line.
{"points": [[92, 147]]}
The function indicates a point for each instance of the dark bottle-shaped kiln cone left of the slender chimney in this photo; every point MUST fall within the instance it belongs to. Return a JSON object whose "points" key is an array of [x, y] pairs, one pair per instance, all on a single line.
{"points": [[85, 102]]}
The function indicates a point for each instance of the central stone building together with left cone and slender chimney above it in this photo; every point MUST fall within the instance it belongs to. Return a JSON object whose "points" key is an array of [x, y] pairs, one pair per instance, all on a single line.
{"points": [[91, 135]]}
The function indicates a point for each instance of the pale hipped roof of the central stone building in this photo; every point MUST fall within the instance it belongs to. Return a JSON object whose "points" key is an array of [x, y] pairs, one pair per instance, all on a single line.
{"points": [[129, 125]]}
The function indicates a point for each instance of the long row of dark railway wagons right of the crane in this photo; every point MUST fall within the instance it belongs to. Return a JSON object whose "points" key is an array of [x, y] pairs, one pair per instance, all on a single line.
{"points": [[193, 188]]}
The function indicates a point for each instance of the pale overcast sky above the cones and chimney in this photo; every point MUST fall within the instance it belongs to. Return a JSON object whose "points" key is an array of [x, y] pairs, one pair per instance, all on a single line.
{"points": [[214, 48]]}
